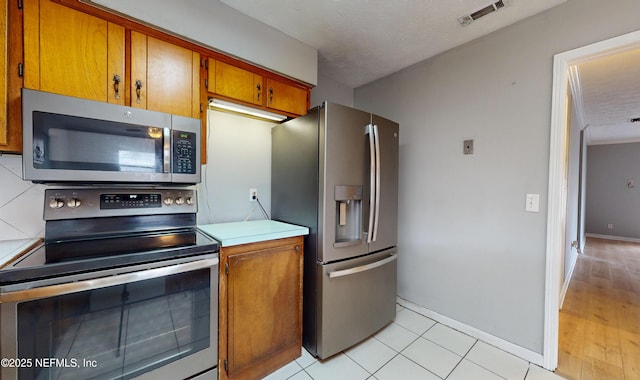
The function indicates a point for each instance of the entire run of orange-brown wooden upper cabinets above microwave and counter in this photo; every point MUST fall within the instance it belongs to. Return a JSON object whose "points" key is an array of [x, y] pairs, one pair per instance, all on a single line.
{"points": [[71, 48]]}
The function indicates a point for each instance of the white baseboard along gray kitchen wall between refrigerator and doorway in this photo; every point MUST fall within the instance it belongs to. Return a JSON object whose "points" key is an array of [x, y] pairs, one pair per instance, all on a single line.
{"points": [[523, 353]]}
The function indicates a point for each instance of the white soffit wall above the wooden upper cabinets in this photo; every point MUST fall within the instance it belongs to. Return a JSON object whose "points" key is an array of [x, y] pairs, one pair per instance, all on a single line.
{"points": [[213, 24]]}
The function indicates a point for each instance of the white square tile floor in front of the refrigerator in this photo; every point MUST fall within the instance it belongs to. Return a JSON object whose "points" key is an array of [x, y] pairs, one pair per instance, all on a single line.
{"points": [[415, 347]]}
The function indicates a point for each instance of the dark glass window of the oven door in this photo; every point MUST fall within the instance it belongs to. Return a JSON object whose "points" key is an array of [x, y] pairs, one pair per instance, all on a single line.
{"points": [[116, 332]]}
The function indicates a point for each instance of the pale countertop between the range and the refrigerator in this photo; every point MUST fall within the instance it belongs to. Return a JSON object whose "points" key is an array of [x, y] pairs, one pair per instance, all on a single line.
{"points": [[253, 231]]}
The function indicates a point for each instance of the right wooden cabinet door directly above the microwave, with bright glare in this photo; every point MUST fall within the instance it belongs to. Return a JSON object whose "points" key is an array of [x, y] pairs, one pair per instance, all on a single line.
{"points": [[164, 77]]}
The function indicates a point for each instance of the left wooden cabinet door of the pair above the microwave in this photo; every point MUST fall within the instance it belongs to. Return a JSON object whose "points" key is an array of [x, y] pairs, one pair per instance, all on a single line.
{"points": [[72, 53]]}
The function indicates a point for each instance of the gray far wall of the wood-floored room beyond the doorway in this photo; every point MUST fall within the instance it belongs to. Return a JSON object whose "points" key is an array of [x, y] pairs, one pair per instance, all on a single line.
{"points": [[609, 200]]}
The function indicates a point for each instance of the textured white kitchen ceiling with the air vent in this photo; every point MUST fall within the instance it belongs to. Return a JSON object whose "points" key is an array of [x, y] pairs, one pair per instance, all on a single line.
{"points": [[359, 41]]}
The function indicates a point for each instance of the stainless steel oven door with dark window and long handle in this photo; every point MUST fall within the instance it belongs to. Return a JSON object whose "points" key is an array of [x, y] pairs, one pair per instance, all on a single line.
{"points": [[159, 323]]}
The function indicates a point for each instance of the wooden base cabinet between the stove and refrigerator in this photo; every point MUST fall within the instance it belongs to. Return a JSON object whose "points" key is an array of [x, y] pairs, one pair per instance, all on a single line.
{"points": [[260, 312]]}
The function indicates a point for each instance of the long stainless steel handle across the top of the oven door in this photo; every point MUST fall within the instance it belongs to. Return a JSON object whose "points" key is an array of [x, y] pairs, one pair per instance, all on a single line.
{"points": [[103, 282]]}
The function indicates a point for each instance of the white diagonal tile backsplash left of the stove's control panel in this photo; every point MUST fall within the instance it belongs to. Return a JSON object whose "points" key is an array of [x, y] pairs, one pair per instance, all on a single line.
{"points": [[21, 202]]}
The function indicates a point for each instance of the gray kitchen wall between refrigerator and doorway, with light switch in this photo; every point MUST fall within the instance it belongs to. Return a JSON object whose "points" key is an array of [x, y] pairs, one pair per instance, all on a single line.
{"points": [[468, 250]]}
